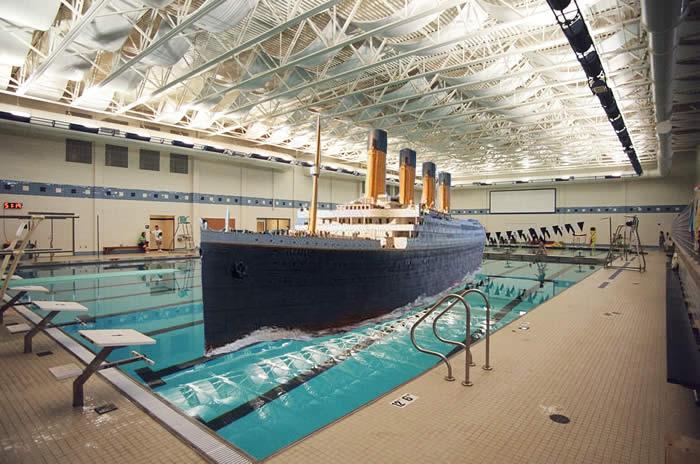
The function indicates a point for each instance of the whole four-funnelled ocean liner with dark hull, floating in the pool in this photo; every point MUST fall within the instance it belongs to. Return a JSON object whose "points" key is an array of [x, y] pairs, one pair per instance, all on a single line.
{"points": [[342, 266]]}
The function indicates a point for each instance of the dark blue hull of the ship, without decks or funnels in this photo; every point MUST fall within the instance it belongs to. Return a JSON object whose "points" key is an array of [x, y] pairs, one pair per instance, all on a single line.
{"points": [[247, 287]]}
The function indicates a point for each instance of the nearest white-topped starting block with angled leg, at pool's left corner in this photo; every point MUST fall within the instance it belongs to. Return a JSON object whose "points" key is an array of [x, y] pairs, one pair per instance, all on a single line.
{"points": [[108, 340]]}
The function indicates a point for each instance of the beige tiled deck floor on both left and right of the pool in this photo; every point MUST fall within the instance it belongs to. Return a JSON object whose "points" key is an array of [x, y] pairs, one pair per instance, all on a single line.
{"points": [[605, 372]]}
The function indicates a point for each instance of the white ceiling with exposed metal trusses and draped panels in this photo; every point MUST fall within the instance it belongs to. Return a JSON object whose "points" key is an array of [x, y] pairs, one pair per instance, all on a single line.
{"points": [[481, 87]]}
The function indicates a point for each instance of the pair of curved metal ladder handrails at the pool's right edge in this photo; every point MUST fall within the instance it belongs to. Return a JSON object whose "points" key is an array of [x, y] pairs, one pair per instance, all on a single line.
{"points": [[468, 361]]}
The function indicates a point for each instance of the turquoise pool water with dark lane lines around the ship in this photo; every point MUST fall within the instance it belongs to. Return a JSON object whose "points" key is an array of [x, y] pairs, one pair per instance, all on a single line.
{"points": [[276, 386]]}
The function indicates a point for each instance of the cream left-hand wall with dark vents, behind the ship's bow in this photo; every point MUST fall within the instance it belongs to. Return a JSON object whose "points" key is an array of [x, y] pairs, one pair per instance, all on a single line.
{"points": [[30, 157]]}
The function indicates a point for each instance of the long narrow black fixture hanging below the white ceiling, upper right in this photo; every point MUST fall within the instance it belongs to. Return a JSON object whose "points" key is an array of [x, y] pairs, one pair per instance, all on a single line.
{"points": [[569, 17]]}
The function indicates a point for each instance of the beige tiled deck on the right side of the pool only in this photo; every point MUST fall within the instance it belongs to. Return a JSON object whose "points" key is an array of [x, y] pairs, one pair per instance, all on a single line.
{"points": [[606, 373]]}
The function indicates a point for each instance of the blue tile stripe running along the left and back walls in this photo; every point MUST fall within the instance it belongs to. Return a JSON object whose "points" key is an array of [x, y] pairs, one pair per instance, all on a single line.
{"points": [[18, 187]]}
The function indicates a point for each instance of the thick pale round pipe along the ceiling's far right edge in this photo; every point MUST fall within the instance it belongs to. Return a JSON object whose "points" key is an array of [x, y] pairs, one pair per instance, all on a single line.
{"points": [[662, 21]]}
